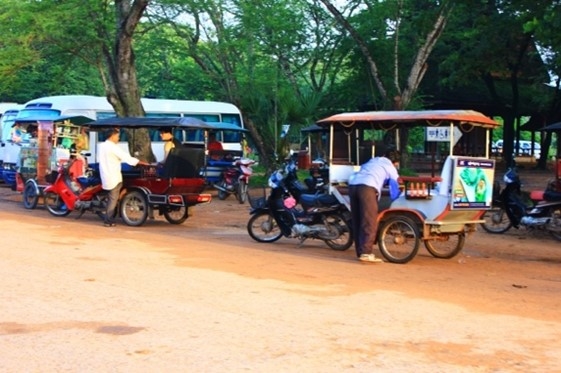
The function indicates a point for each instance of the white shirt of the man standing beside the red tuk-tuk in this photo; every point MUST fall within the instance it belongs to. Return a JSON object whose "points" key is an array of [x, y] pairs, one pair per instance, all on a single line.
{"points": [[110, 158]]}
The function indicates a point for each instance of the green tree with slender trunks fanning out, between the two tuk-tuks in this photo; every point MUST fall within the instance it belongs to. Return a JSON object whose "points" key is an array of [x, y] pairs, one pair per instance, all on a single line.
{"points": [[275, 71]]}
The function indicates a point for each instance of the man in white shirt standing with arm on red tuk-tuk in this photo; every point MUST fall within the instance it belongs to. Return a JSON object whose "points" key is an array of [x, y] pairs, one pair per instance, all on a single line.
{"points": [[110, 158]]}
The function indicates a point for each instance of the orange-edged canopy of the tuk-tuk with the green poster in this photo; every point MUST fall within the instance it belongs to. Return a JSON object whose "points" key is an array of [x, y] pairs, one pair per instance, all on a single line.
{"points": [[425, 118]]}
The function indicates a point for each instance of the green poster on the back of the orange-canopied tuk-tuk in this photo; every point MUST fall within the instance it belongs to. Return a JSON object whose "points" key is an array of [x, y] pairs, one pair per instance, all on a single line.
{"points": [[473, 183]]}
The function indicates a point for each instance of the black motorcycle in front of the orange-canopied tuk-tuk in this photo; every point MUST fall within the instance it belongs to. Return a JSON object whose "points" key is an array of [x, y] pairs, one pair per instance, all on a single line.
{"points": [[319, 216]]}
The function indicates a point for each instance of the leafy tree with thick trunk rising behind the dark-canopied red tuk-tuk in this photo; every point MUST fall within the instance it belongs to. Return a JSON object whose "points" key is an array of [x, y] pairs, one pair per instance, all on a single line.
{"points": [[98, 32]]}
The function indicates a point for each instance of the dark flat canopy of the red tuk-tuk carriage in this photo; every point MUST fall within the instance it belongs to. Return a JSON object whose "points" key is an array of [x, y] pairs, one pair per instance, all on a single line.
{"points": [[149, 122]]}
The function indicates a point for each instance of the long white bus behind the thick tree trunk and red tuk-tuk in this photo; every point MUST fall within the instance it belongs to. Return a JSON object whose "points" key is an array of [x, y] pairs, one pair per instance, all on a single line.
{"points": [[98, 108]]}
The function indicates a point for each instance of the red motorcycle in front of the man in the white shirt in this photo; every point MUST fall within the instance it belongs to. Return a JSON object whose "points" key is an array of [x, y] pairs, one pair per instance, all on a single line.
{"points": [[68, 193]]}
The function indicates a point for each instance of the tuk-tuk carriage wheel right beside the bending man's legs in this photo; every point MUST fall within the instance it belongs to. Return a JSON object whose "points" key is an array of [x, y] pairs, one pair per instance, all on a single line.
{"points": [[398, 239]]}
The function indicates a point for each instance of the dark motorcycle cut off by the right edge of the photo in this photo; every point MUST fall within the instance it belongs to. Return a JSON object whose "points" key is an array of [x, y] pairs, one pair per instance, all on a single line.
{"points": [[543, 212]]}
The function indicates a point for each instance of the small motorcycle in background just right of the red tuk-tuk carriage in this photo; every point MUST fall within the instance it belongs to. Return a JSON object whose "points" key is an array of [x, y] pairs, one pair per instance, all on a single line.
{"points": [[235, 180]]}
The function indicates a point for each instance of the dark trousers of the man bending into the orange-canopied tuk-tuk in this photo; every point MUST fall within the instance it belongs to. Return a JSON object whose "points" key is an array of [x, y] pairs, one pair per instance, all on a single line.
{"points": [[364, 211]]}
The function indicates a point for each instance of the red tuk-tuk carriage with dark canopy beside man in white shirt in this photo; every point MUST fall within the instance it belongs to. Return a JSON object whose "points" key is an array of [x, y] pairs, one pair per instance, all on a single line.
{"points": [[170, 190]]}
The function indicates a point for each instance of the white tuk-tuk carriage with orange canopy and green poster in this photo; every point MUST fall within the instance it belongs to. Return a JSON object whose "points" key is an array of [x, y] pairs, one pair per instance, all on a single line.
{"points": [[437, 209]]}
